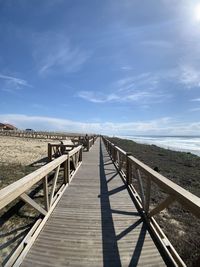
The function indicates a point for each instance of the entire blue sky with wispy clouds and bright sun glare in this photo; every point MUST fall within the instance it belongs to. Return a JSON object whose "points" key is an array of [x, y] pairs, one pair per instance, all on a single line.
{"points": [[116, 67]]}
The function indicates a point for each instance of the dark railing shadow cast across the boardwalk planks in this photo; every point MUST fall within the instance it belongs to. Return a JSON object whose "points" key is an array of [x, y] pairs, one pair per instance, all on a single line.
{"points": [[111, 253]]}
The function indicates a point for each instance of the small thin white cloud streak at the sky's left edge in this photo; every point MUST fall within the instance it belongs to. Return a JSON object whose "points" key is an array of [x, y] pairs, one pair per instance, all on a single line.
{"points": [[10, 83]]}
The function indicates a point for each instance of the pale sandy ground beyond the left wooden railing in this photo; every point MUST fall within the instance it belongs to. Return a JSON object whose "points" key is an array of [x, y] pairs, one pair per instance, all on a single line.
{"points": [[18, 155]]}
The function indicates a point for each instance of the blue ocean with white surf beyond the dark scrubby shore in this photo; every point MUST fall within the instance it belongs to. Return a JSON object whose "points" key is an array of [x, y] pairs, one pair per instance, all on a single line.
{"points": [[177, 143]]}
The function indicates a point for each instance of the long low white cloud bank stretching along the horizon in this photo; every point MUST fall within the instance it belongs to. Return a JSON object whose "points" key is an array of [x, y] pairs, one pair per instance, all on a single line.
{"points": [[165, 126]]}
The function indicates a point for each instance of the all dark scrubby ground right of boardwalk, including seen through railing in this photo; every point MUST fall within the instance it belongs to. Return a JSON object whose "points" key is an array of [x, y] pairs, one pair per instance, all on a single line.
{"points": [[182, 229]]}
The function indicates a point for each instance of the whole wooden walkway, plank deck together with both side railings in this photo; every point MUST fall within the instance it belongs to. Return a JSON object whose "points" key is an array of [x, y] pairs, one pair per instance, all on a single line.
{"points": [[100, 220]]}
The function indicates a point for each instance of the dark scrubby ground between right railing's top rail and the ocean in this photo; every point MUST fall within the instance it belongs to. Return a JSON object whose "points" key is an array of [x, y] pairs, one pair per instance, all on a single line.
{"points": [[181, 167]]}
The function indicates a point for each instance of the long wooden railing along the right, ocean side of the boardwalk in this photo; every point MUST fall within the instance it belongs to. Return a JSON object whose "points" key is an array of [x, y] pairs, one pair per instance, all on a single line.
{"points": [[131, 169]]}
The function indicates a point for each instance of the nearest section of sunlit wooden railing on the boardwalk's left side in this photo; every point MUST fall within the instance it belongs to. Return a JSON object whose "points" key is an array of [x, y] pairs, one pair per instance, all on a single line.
{"points": [[62, 169]]}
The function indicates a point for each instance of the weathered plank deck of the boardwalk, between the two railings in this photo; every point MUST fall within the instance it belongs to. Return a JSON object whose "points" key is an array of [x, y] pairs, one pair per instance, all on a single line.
{"points": [[95, 223]]}
